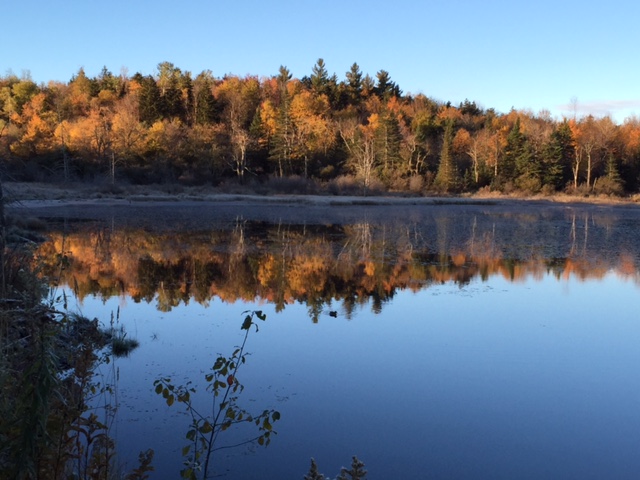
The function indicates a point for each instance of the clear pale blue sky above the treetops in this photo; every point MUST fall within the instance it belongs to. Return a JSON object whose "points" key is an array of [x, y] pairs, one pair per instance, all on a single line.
{"points": [[527, 55]]}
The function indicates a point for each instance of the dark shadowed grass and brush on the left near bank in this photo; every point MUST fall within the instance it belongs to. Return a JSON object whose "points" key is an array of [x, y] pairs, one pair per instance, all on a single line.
{"points": [[49, 386]]}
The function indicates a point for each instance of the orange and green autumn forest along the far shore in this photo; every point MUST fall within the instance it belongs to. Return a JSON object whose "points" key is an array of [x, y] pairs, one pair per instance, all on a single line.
{"points": [[359, 134]]}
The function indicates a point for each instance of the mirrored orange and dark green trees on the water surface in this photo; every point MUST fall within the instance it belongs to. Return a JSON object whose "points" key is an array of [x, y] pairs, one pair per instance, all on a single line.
{"points": [[358, 264]]}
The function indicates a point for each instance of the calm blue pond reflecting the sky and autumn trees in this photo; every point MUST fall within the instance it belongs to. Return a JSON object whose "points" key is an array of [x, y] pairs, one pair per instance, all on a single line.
{"points": [[431, 341]]}
